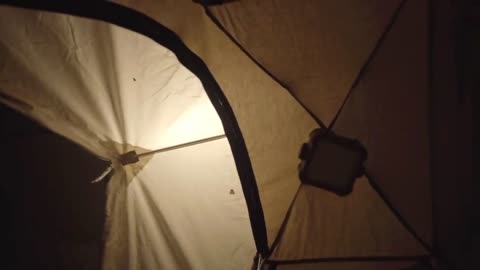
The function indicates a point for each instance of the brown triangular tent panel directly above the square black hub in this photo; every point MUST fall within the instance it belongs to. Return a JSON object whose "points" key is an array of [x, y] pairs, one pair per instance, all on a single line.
{"points": [[315, 47]]}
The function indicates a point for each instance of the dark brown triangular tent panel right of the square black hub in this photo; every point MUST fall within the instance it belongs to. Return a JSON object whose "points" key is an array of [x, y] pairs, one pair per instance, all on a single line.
{"points": [[389, 113]]}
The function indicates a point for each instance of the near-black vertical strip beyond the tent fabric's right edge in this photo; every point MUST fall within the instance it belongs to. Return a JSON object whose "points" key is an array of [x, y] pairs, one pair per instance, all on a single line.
{"points": [[454, 80]]}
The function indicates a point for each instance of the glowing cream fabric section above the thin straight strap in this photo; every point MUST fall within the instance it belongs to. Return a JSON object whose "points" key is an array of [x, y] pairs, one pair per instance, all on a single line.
{"points": [[128, 72]]}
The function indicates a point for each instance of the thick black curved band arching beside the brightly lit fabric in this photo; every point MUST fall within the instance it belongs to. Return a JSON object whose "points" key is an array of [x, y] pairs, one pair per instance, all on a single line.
{"points": [[142, 24]]}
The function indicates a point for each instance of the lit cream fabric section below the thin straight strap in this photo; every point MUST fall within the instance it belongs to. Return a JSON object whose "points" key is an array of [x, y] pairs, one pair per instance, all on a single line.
{"points": [[182, 222]]}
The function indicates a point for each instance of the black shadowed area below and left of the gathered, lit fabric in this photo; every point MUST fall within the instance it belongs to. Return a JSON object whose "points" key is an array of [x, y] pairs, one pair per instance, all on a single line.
{"points": [[52, 216]]}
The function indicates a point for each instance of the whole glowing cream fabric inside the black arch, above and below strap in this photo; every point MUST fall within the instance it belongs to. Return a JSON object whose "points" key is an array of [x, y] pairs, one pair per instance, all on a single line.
{"points": [[112, 90]]}
